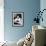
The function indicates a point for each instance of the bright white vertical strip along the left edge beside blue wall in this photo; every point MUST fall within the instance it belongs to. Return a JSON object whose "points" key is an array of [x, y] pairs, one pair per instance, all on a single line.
{"points": [[1, 20]]}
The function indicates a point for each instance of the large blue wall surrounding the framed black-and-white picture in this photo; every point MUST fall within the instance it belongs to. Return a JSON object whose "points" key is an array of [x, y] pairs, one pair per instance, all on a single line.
{"points": [[29, 7]]}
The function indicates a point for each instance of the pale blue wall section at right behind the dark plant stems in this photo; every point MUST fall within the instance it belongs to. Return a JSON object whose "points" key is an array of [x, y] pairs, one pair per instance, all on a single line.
{"points": [[43, 6]]}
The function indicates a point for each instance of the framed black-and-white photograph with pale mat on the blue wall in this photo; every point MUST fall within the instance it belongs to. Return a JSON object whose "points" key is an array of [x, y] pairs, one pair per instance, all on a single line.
{"points": [[17, 19]]}
